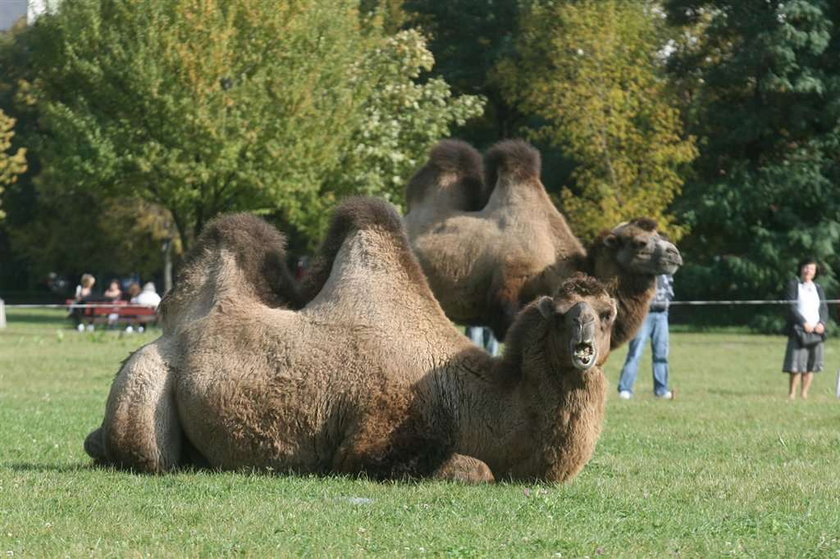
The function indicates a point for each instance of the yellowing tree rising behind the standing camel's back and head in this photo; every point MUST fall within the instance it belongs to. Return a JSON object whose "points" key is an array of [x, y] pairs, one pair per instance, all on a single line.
{"points": [[593, 72]]}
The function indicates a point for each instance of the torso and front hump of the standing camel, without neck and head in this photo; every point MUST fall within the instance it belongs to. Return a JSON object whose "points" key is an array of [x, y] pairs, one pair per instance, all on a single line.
{"points": [[477, 262]]}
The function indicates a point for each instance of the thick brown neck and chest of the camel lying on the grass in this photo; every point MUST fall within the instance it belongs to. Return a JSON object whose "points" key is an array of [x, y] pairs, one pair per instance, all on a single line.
{"points": [[523, 428]]}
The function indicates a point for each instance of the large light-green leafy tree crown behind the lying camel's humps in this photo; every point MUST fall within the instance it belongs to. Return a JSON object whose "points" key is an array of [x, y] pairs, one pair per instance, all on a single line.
{"points": [[204, 106]]}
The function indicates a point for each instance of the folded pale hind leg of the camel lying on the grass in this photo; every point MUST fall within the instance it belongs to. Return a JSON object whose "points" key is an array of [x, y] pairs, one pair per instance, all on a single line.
{"points": [[141, 430]]}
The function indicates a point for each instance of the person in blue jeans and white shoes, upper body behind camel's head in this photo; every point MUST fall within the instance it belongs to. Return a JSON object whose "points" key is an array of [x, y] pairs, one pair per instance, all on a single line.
{"points": [[654, 327]]}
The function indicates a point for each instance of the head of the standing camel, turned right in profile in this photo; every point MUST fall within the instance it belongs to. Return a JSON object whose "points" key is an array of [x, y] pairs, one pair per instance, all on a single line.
{"points": [[639, 248]]}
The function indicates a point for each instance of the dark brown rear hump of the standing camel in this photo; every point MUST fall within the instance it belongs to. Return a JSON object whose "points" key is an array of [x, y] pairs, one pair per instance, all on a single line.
{"points": [[462, 163]]}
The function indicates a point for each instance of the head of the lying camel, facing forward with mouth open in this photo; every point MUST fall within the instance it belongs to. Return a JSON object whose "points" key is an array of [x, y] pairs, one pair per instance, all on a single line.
{"points": [[581, 315]]}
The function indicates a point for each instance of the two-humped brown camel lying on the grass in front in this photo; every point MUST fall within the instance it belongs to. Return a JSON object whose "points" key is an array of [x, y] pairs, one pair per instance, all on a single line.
{"points": [[369, 377]]}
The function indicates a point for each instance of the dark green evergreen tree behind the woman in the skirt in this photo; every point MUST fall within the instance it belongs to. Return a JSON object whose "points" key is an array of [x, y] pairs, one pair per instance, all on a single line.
{"points": [[761, 81]]}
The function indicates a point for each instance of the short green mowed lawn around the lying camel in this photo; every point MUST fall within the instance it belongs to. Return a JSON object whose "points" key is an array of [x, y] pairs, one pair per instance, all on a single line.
{"points": [[728, 468]]}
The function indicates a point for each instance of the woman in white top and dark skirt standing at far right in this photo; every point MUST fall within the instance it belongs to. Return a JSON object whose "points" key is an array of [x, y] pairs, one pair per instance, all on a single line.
{"points": [[807, 317]]}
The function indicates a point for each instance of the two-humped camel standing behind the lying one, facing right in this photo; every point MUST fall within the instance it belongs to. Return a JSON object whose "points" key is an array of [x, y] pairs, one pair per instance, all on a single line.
{"points": [[485, 265]]}
